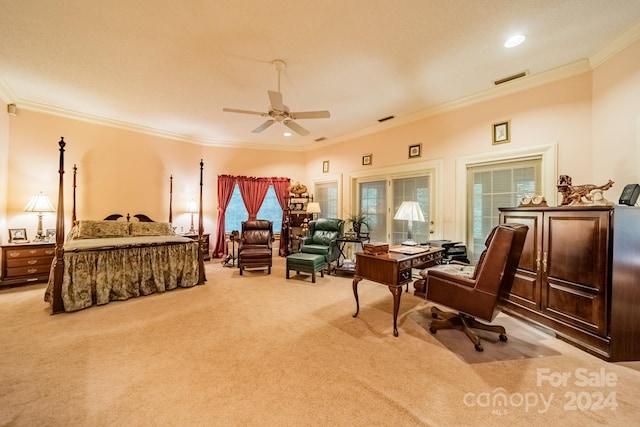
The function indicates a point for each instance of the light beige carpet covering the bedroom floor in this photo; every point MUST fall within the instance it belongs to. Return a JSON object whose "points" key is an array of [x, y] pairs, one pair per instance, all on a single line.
{"points": [[263, 350]]}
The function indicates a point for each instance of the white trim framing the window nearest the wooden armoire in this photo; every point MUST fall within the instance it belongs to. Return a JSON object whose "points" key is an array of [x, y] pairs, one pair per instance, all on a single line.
{"points": [[549, 170]]}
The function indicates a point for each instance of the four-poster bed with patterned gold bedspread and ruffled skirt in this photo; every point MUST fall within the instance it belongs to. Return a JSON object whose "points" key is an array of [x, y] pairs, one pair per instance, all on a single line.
{"points": [[119, 258]]}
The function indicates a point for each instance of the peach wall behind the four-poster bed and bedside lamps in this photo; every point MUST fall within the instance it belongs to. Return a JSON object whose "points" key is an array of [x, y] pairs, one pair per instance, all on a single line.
{"points": [[120, 171]]}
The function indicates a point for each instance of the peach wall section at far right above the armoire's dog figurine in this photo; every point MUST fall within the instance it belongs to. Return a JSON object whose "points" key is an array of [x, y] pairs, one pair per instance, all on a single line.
{"points": [[616, 112]]}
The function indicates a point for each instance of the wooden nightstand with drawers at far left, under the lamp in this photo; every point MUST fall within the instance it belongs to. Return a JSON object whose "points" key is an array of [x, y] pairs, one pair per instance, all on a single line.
{"points": [[27, 262]]}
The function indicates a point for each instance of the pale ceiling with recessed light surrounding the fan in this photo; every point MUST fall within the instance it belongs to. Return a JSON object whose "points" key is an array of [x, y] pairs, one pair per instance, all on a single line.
{"points": [[170, 67]]}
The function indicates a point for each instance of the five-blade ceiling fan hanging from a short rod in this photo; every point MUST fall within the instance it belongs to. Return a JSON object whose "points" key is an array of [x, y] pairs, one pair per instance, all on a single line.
{"points": [[278, 112]]}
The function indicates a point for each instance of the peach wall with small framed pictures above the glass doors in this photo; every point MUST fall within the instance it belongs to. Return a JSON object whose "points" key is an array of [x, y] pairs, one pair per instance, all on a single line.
{"points": [[559, 112]]}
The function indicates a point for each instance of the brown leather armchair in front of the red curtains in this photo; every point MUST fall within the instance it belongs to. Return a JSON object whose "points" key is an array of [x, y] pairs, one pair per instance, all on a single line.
{"points": [[255, 245]]}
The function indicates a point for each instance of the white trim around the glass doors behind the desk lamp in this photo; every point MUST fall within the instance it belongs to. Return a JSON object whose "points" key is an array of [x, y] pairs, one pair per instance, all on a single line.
{"points": [[432, 167]]}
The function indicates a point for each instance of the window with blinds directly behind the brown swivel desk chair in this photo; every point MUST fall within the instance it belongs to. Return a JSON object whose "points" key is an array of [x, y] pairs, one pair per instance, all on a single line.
{"points": [[496, 185]]}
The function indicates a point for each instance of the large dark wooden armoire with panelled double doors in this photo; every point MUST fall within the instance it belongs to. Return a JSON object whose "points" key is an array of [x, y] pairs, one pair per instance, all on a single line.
{"points": [[579, 276]]}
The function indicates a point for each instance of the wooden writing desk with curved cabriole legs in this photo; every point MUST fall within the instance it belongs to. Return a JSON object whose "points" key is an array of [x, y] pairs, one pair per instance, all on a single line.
{"points": [[394, 270]]}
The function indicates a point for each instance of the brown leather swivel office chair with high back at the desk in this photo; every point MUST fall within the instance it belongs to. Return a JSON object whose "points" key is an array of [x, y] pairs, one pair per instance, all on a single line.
{"points": [[480, 294]]}
